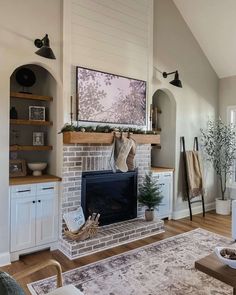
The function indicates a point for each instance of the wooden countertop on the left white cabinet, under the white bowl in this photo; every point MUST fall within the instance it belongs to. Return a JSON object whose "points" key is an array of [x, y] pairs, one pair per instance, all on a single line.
{"points": [[33, 179]]}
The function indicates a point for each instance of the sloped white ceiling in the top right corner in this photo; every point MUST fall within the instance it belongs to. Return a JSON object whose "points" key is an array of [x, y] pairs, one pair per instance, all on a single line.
{"points": [[213, 24]]}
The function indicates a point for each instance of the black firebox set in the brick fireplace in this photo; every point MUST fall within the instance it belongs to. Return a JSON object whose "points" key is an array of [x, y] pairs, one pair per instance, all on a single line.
{"points": [[113, 195]]}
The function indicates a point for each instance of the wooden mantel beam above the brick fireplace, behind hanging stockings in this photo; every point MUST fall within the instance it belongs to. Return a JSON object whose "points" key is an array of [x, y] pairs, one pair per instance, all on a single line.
{"points": [[106, 138]]}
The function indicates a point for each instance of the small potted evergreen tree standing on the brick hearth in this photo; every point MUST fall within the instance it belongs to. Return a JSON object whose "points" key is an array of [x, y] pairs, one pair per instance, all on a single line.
{"points": [[149, 196]]}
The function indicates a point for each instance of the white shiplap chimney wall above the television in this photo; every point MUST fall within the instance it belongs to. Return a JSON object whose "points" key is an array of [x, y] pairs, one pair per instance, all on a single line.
{"points": [[107, 35]]}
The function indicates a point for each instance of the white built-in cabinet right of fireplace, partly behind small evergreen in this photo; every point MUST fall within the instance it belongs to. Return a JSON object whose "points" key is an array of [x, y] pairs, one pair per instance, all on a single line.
{"points": [[165, 183]]}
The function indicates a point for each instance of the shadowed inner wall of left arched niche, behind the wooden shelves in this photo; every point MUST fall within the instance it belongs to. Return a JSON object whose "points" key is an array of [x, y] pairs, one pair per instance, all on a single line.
{"points": [[47, 83]]}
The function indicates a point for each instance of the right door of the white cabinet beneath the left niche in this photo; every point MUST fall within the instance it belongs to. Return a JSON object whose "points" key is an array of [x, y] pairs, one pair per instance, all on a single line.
{"points": [[46, 218]]}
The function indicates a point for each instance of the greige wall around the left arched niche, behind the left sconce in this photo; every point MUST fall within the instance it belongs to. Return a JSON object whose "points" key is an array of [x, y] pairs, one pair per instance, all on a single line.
{"points": [[22, 21]]}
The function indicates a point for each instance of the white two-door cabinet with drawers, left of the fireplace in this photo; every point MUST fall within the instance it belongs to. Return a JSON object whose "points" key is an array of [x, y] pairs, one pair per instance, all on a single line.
{"points": [[34, 217]]}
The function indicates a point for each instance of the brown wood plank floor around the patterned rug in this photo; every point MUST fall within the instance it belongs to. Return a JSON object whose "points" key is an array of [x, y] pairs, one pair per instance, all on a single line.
{"points": [[212, 222]]}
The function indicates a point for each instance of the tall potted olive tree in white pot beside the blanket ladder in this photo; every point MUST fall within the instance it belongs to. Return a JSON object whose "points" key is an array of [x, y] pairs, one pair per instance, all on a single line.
{"points": [[219, 146]]}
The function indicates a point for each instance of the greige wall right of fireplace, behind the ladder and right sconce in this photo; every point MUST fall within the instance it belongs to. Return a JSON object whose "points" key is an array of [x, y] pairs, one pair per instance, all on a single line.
{"points": [[176, 49]]}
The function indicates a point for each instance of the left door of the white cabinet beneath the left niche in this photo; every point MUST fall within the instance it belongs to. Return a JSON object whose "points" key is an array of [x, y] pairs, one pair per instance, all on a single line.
{"points": [[23, 212]]}
